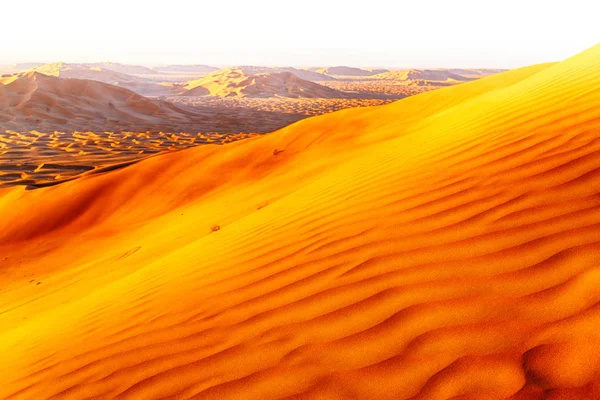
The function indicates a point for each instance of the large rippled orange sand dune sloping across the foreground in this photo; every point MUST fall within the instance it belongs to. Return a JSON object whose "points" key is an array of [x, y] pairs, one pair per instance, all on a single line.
{"points": [[446, 246]]}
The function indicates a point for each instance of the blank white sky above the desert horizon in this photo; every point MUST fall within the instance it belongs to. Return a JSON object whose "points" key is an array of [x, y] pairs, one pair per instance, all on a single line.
{"points": [[417, 33]]}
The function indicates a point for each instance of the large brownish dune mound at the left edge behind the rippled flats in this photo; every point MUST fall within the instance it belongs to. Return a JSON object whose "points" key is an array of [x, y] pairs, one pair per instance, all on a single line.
{"points": [[32, 100]]}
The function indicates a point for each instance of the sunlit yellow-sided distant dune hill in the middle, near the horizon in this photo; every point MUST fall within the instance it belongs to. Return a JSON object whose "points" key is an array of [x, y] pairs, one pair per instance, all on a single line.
{"points": [[238, 82]]}
